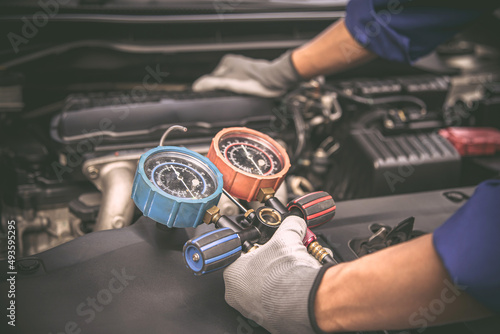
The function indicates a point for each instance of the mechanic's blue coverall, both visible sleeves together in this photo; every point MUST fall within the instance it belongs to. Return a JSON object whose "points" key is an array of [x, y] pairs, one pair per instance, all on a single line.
{"points": [[405, 30]]}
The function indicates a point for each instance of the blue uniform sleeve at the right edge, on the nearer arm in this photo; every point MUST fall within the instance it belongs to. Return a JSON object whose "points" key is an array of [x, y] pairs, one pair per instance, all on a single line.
{"points": [[469, 245]]}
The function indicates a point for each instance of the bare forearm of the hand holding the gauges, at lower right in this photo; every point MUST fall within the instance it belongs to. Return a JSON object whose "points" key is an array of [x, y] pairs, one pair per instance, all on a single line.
{"points": [[404, 286]]}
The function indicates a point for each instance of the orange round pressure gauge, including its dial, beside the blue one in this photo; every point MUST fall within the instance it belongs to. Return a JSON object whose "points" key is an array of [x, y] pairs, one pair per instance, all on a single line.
{"points": [[248, 160]]}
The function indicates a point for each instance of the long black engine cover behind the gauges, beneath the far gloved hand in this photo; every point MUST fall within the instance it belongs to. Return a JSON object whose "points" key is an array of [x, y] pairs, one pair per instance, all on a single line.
{"points": [[116, 118]]}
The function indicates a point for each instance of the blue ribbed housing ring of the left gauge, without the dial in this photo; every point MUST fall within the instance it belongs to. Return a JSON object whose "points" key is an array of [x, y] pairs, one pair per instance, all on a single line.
{"points": [[167, 209]]}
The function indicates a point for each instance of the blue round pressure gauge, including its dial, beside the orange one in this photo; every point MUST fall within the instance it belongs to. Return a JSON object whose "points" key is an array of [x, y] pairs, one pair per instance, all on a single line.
{"points": [[175, 186]]}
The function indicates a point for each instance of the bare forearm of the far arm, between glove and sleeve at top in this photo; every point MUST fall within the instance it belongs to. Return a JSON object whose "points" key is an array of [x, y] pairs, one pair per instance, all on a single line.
{"points": [[332, 51]]}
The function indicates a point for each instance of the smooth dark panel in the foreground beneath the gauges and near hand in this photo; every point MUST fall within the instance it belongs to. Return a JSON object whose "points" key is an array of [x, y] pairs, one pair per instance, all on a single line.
{"points": [[138, 280]]}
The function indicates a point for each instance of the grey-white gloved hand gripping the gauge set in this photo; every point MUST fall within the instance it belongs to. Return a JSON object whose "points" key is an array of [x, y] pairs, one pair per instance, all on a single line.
{"points": [[271, 285]]}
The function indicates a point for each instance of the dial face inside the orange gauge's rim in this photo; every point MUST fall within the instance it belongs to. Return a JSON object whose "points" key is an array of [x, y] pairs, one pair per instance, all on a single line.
{"points": [[251, 154]]}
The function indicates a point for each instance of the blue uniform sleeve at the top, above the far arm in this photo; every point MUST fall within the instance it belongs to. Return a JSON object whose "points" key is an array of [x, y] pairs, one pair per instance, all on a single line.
{"points": [[405, 30]]}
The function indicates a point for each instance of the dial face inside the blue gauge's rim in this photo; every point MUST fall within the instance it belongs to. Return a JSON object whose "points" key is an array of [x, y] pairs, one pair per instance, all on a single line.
{"points": [[180, 175]]}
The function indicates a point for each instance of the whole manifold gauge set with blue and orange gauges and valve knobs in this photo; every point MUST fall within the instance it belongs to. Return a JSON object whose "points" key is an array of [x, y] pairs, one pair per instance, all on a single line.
{"points": [[180, 188]]}
